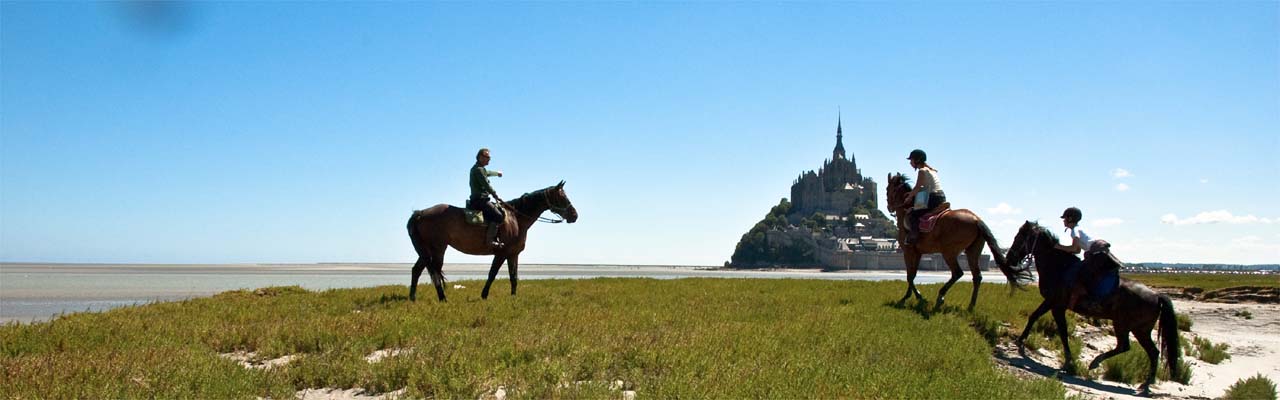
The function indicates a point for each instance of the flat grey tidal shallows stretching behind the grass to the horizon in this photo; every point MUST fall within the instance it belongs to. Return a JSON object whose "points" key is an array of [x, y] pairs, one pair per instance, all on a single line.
{"points": [[42, 292]]}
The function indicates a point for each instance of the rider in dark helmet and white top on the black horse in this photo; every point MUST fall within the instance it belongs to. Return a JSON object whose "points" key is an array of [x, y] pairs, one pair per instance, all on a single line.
{"points": [[1091, 274]]}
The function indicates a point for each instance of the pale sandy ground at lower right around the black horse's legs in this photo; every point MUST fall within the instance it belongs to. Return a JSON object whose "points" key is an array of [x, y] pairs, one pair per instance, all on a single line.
{"points": [[1255, 348]]}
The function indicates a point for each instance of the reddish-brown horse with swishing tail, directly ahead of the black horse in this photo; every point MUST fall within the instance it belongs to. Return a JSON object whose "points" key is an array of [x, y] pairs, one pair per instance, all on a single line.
{"points": [[957, 231]]}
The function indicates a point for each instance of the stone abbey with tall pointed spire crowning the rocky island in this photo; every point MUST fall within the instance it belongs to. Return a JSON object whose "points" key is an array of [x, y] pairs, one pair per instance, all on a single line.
{"points": [[836, 188]]}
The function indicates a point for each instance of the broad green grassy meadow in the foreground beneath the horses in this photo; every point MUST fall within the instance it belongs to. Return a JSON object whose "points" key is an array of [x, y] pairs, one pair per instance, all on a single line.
{"points": [[557, 339]]}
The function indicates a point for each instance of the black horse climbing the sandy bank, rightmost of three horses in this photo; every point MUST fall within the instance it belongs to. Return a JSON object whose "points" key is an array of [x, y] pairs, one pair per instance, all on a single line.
{"points": [[1133, 308]]}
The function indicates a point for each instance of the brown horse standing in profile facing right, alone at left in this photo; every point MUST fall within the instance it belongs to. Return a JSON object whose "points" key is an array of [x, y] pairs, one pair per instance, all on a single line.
{"points": [[437, 229]]}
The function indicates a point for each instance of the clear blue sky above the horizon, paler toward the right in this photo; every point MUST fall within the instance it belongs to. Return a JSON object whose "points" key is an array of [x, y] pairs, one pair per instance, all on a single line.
{"points": [[275, 133]]}
